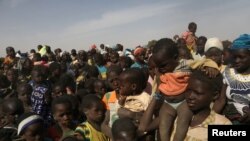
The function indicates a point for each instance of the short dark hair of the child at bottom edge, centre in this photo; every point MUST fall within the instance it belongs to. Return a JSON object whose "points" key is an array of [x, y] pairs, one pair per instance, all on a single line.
{"points": [[122, 125]]}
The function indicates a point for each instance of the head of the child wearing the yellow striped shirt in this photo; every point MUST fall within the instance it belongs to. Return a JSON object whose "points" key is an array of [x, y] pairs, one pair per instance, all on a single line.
{"points": [[93, 108]]}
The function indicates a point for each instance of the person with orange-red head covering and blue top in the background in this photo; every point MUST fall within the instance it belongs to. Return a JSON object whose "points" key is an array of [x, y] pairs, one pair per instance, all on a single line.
{"points": [[139, 54]]}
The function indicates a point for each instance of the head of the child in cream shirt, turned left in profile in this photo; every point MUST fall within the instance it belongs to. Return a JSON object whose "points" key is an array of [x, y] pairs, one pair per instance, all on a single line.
{"points": [[132, 81]]}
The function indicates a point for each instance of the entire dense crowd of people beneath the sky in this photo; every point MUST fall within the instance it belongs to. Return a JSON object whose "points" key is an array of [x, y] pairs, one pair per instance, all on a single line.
{"points": [[171, 89]]}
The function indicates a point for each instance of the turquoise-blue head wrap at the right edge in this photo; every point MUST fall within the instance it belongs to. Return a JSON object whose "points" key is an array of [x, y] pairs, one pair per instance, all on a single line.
{"points": [[242, 42]]}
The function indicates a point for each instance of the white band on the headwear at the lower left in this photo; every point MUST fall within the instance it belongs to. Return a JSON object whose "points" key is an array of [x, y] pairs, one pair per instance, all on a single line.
{"points": [[27, 122]]}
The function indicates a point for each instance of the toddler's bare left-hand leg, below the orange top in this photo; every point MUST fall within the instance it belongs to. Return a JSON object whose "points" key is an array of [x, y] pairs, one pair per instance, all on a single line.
{"points": [[167, 117]]}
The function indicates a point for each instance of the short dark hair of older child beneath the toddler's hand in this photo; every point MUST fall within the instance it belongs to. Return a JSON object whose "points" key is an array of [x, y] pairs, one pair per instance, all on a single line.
{"points": [[214, 83]]}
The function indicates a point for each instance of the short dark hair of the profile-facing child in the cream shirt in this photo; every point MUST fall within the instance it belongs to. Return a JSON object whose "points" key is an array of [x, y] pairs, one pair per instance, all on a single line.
{"points": [[137, 76]]}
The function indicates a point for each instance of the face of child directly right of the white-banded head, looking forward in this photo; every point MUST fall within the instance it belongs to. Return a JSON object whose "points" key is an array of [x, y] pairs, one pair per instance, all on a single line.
{"points": [[63, 114]]}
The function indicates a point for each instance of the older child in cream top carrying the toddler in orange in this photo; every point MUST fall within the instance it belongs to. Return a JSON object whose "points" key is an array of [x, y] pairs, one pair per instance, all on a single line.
{"points": [[201, 91]]}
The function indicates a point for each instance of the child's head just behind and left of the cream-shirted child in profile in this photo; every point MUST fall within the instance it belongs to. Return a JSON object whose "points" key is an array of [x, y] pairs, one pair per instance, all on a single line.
{"points": [[113, 73]]}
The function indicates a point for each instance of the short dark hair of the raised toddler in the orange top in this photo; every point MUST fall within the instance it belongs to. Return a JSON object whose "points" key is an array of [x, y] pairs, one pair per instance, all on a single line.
{"points": [[168, 46]]}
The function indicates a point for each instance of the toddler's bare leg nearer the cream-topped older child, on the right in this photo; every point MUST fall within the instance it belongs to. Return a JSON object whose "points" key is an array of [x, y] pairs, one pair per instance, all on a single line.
{"points": [[183, 120]]}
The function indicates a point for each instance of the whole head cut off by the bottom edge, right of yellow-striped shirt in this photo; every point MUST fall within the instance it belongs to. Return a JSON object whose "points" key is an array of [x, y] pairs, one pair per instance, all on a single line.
{"points": [[124, 129]]}
